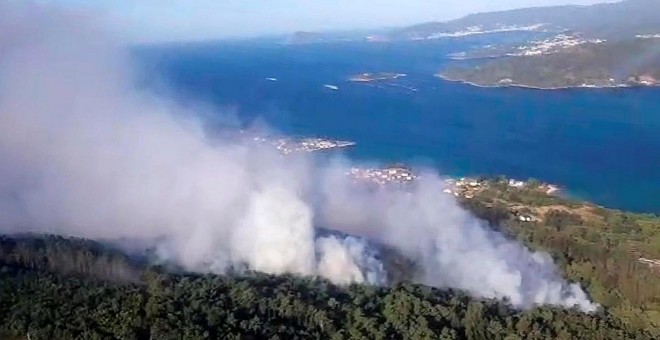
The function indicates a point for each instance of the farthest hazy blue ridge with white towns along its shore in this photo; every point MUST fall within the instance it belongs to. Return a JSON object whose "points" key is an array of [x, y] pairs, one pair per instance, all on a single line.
{"points": [[617, 20]]}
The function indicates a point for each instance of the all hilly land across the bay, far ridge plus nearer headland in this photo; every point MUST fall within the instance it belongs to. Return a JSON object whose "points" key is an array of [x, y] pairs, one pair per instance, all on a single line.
{"points": [[614, 44]]}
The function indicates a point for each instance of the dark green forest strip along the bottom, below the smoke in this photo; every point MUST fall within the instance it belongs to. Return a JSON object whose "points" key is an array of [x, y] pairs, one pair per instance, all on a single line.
{"points": [[43, 304]]}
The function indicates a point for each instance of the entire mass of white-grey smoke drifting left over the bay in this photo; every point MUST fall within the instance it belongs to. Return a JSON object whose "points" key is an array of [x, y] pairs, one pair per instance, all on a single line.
{"points": [[84, 153]]}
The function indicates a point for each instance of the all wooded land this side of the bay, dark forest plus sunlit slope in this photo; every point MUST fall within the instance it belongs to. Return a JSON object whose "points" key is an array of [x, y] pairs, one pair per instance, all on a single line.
{"points": [[54, 287]]}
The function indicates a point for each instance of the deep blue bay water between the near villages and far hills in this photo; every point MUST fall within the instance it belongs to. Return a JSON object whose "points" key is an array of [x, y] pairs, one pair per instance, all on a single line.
{"points": [[603, 145]]}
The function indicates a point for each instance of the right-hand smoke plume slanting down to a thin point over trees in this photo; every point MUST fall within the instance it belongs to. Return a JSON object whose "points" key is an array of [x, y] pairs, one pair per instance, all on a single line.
{"points": [[456, 249]]}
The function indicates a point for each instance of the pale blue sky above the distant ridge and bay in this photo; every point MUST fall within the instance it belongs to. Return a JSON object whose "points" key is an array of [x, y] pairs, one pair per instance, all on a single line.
{"points": [[180, 20]]}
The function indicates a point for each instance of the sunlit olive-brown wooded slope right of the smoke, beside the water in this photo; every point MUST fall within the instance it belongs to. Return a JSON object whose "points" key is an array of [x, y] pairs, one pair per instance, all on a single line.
{"points": [[598, 247]]}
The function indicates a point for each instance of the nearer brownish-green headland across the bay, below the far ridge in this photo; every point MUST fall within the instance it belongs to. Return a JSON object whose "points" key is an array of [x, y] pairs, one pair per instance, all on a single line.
{"points": [[607, 64]]}
